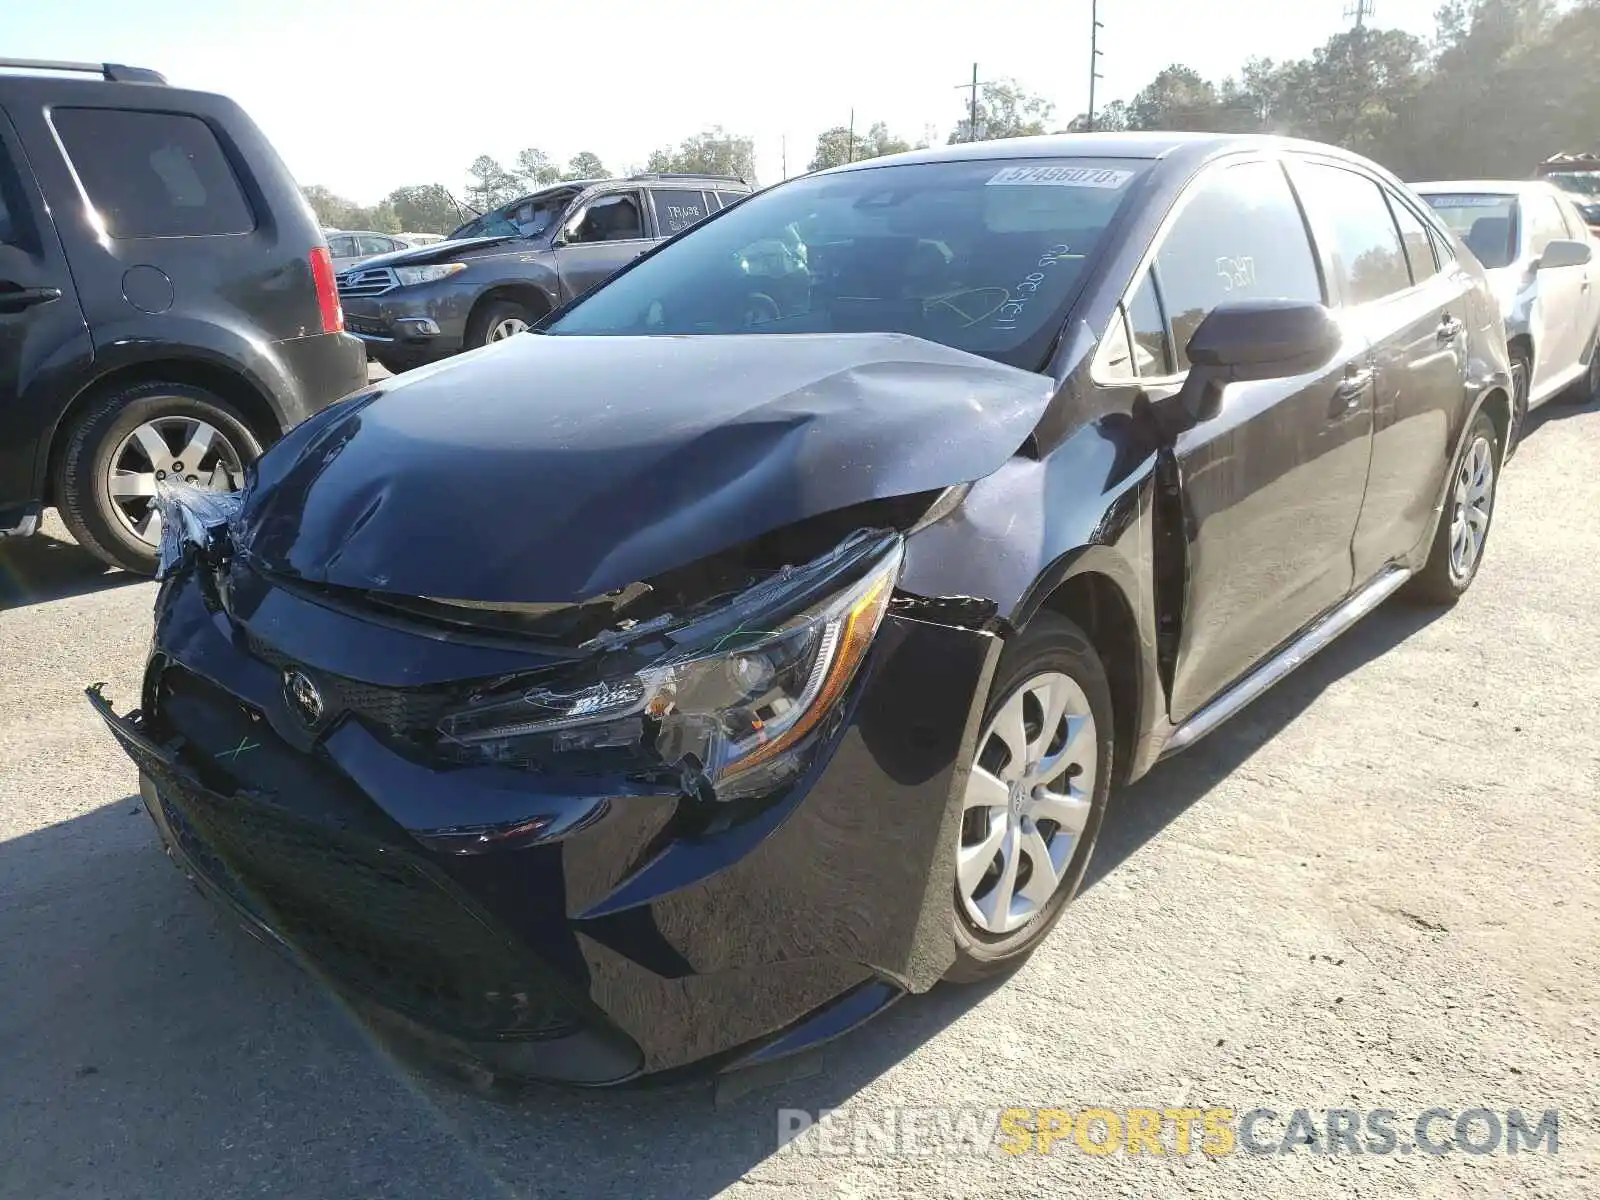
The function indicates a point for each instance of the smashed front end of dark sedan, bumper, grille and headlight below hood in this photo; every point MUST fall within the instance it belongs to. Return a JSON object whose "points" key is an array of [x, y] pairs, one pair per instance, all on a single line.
{"points": [[708, 807]]}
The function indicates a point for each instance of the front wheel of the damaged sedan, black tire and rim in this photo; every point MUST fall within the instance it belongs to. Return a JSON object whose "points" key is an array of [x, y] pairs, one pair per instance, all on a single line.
{"points": [[990, 938]]}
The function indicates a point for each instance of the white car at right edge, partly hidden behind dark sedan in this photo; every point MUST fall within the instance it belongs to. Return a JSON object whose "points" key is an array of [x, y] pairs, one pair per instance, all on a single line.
{"points": [[1540, 258]]}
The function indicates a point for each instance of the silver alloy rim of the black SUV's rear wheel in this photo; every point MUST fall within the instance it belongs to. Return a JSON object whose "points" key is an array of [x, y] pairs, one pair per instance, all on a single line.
{"points": [[169, 449]]}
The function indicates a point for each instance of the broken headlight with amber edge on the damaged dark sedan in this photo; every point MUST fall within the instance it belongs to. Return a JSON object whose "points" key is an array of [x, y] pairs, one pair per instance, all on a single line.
{"points": [[734, 713]]}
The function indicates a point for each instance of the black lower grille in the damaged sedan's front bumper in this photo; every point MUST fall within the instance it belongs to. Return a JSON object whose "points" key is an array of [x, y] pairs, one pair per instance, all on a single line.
{"points": [[374, 916]]}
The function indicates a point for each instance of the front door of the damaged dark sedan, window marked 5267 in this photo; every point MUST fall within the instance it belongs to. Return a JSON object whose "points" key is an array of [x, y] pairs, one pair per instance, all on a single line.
{"points": [[1271, 487]]}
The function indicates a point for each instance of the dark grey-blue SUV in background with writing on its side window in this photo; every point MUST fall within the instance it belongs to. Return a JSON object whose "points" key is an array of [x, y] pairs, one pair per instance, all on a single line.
{"points": [[503, 271]]}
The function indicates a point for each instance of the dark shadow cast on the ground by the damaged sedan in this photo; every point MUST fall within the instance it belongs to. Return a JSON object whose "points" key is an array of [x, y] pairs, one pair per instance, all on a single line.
{"points": [[153, 1042]]}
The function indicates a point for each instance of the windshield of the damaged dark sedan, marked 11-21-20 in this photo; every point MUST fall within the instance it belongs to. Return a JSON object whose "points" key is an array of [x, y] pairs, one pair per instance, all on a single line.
{"points": [[985, 257]]}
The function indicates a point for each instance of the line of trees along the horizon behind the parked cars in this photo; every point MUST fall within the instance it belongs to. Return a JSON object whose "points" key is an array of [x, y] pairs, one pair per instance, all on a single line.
{"points": [[1500, 87]]}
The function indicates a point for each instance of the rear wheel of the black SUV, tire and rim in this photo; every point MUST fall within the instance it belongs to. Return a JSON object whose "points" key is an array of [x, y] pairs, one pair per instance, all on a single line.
{"points": [[113, 434]]}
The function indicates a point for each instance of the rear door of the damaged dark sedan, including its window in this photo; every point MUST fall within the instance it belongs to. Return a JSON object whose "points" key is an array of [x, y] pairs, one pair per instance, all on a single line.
{"points": [[1414, 313]]}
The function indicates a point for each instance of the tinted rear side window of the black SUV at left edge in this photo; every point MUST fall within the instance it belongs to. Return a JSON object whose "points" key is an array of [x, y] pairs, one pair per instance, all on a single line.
{"points": [[154, 174]]}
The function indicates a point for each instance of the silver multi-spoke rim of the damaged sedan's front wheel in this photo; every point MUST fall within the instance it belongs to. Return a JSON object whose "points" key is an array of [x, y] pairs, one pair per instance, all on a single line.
{"points": [[1028, 802]]}
